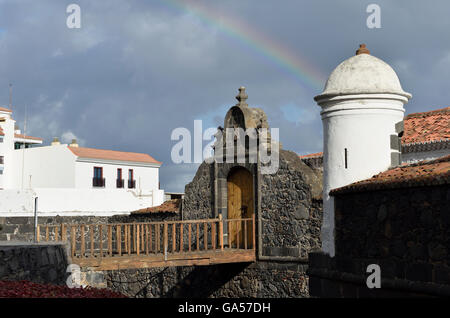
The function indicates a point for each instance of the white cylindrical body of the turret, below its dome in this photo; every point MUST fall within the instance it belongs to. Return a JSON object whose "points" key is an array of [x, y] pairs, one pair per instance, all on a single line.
{"points": [[363, 124]]}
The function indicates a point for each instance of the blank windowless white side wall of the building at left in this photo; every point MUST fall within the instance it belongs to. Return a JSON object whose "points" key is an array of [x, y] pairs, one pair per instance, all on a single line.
{"points": [[49, 167]]}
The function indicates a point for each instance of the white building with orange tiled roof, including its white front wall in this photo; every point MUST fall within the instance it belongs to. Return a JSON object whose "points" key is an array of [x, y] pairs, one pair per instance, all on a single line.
{"points": [[72, 180]]}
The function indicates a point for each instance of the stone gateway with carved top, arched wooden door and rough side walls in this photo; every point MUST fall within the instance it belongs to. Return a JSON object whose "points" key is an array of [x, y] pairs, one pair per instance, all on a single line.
{"points": [[287, 204]]}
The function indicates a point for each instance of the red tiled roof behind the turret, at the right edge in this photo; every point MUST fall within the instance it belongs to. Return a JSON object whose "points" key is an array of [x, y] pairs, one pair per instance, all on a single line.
{"points": [[428, 126]]}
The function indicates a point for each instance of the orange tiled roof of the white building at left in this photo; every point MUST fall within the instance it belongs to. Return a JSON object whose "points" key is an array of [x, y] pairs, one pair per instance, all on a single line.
{"points": [[112, 155]]}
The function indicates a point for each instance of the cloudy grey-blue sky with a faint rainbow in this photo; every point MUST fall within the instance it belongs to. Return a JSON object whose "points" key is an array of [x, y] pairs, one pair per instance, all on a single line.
{"points": [[136, 70]]}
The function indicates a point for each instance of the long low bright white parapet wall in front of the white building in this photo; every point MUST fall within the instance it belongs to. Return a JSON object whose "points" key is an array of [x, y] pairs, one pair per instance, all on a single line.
{"points": [[76, 202]]}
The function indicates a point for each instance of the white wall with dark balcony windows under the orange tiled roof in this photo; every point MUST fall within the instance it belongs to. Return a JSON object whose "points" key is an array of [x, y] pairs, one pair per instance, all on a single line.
{"points": [[147, 178]]}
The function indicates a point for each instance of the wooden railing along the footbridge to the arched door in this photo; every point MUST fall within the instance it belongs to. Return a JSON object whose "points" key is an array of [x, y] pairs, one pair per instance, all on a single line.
{"points": [[140, 239]]}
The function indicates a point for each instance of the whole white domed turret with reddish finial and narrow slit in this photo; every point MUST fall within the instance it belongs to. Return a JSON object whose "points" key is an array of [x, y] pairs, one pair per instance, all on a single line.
{"points": [[361, 104]]}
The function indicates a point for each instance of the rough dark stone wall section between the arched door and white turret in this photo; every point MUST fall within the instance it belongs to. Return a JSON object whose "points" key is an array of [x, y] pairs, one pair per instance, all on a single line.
{"points": [[291, 208]]}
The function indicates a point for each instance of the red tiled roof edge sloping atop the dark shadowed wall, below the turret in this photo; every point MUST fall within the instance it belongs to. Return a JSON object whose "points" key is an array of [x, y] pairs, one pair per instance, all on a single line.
{"points": [[432, 172]]}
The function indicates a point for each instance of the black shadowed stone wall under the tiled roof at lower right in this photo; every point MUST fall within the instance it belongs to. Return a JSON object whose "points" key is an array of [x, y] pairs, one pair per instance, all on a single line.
{"points": [[405, 231]]}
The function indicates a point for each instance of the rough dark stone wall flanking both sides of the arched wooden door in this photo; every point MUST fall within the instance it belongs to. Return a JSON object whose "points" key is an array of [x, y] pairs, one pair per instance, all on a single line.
{"points": [[291, 205]]}
